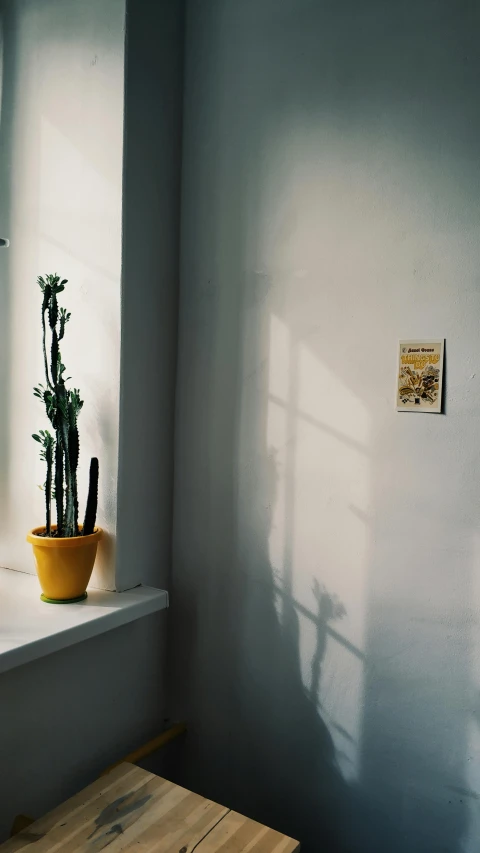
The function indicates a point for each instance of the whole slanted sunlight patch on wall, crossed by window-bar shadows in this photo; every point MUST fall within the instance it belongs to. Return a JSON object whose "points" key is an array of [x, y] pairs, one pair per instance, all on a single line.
{"points": [[317, 429]]}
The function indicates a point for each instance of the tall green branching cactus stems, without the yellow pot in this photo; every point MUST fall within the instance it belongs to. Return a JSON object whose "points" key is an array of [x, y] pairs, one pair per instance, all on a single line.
{"points": [[62, 406]]}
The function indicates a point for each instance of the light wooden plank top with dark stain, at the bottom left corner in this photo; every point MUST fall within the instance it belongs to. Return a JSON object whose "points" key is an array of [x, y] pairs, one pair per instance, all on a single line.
{"points": [[132, 810]]}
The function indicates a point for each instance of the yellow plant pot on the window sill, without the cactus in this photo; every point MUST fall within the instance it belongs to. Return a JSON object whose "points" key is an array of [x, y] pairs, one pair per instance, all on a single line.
{"points": [[64, 566]]}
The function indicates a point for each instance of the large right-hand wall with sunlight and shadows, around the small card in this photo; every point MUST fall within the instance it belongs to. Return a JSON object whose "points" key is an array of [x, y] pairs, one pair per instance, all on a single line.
{"points": [[330, 207]]}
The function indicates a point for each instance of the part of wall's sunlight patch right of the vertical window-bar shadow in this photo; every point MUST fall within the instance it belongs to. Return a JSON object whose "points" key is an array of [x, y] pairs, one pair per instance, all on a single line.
{"points": [[332, 473]]}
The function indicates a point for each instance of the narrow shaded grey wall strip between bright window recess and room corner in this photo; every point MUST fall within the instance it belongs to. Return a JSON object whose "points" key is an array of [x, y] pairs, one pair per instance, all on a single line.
{"points": [[150, 289]]}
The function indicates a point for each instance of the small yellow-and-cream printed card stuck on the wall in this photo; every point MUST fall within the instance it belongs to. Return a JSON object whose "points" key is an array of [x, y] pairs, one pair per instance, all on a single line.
{"points": [[420, 376]]}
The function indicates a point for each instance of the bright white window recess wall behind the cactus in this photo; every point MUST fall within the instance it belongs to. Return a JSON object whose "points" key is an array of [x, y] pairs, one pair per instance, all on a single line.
{"points": [[61, 206]]}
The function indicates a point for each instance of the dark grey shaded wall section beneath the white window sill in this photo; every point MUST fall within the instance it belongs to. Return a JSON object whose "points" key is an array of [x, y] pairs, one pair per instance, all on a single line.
{"points": [[66, 717]]}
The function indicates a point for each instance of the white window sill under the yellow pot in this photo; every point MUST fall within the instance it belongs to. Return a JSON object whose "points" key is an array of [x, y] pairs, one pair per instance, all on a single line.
{"points": [[31, 629]]}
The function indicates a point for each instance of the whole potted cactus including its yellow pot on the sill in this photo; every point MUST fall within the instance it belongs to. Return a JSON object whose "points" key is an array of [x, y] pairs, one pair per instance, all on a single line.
{"points": [[64, 552]]}
